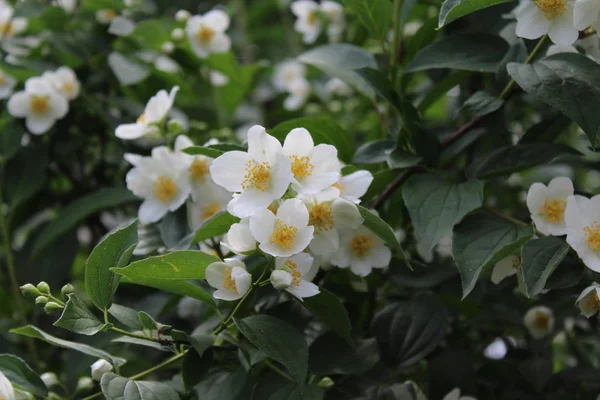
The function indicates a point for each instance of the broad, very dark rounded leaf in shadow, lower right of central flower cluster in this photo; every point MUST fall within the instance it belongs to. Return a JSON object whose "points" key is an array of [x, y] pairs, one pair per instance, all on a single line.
{"points": [[407, 332]]}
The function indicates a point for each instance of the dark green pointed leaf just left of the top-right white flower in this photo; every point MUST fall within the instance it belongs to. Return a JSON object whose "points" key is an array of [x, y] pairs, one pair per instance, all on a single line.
{"points": [[480, 52]]}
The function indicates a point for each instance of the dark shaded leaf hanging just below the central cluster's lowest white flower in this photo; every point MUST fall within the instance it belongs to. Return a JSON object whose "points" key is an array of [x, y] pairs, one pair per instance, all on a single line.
{"points": [[330, 310]]}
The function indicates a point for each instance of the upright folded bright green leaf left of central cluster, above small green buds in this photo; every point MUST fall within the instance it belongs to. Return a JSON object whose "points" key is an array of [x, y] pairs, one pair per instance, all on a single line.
{"points": [[114, 251]]}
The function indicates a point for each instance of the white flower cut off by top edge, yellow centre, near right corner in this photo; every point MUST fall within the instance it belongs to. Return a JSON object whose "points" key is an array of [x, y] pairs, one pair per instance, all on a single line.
{"points": [[553, 17]]}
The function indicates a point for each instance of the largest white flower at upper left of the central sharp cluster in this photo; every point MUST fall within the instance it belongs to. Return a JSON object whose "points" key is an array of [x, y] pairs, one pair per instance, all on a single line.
{"points": [[261, 175]]}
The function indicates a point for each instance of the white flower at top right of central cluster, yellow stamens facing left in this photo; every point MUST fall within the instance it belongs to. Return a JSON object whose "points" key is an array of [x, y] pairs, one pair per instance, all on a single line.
{"points": [[314, 167]]}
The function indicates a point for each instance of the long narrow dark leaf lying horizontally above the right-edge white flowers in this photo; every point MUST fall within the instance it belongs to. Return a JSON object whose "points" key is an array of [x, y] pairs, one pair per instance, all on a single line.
{"points": [[509, 159]]}
